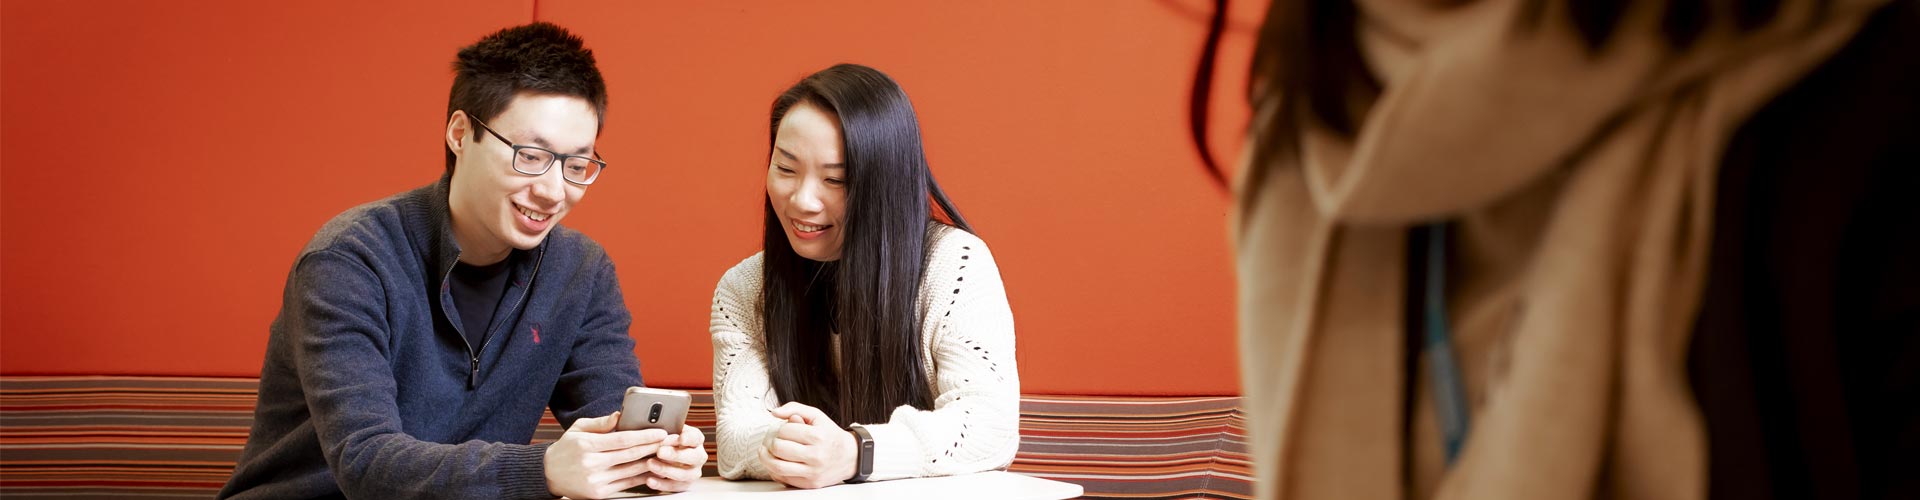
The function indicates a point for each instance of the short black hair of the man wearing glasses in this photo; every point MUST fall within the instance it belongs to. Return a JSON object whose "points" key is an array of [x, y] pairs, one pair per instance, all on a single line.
{"points": [[539, 59]]}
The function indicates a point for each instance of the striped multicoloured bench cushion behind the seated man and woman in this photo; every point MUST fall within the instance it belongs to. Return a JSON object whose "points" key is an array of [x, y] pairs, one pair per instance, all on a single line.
{"points": [[178, 437]]}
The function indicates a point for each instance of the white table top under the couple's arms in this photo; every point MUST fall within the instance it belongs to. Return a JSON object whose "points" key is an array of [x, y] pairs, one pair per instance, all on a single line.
{"points": [[974, 486]]}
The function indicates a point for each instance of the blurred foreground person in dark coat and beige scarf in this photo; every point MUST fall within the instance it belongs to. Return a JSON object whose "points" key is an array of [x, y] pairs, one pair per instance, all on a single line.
{"points": [[1583, 249]]}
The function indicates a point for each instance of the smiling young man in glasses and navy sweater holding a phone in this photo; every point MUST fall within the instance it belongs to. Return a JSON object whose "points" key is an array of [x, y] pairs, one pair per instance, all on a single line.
{"points": [[423, 337]]}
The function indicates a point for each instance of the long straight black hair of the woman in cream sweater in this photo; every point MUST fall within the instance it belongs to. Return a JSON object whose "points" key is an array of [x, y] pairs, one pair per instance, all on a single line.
{"points": [[871, 295]]}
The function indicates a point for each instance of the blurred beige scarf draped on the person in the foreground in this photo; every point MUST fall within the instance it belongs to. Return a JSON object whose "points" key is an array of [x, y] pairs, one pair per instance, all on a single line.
{"points": [[1583, 195]]}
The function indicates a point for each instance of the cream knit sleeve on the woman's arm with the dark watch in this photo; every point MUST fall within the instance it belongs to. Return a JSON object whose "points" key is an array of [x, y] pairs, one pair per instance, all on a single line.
{"points": [[969, 334]]}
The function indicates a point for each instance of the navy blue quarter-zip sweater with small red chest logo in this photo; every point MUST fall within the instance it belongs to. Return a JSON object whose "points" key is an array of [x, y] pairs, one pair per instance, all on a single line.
{"points": [[372, 391]]}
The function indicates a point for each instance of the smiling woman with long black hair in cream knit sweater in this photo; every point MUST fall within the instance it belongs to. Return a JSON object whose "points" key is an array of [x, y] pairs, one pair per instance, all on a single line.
{"points": [[867, 339]]}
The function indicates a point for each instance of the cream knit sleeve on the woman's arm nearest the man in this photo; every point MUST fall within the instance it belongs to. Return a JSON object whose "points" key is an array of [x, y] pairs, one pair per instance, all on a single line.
{"points": [[744, 395]]}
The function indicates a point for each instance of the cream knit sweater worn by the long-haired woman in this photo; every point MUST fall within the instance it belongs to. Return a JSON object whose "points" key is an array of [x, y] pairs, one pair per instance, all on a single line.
{"points": [[969, 351]]}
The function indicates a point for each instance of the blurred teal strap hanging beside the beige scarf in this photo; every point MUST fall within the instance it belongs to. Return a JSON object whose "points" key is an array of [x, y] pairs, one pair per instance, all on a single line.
{"points": [[1451, 391]]}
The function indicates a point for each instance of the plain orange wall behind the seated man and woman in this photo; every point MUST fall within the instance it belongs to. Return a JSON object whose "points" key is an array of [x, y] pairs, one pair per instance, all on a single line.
{"points": [[164, 162]]}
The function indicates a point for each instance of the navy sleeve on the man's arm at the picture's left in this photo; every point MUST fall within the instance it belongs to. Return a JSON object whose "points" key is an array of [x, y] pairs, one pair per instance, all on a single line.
{"points": [[337, 320]]}
